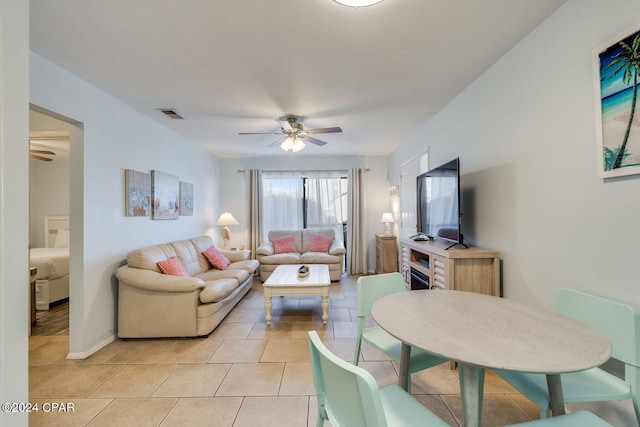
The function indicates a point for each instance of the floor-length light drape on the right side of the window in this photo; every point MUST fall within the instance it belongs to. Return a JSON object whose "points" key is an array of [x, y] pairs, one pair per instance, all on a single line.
{"points": [[356, 224]]}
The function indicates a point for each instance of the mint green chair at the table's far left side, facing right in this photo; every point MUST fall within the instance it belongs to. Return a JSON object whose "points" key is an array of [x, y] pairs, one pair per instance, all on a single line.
{"points": [[369, 290]]}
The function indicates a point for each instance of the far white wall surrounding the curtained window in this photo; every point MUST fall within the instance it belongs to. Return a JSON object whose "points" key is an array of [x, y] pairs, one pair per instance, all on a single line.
{"points": [[235, 188]]}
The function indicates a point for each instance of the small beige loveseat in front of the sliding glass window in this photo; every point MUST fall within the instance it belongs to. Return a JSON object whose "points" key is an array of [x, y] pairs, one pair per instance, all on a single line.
{"points": [[269, 260]]}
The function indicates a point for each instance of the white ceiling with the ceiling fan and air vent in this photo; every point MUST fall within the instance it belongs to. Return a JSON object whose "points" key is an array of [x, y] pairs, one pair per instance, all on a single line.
{"points": [[230, 66]]}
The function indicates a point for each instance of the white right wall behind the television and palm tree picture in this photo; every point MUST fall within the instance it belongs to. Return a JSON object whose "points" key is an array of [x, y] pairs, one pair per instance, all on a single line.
{"points": [[526, 135]]}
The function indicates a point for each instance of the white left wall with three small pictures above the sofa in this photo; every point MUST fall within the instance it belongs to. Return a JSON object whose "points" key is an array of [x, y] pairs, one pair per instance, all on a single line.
{"points": [[108, 137]]}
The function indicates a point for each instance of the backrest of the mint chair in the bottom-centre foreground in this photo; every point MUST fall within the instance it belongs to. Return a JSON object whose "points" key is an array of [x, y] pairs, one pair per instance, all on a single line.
{"points": [[350, 394]]}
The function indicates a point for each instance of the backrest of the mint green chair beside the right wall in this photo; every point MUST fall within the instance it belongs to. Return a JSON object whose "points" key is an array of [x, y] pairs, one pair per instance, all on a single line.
{"points": [[619, 322]]}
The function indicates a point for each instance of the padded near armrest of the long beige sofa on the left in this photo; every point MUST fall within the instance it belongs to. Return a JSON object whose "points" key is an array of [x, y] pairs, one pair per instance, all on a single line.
{"points": [[154, 281]]}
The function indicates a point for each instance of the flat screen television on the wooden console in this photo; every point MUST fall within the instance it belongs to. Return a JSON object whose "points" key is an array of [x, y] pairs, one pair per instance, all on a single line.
{"points": [[438, 203]]}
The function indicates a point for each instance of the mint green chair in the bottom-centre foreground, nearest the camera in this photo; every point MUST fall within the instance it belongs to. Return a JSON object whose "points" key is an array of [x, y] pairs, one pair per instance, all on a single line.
{"points": [[348, 395]]}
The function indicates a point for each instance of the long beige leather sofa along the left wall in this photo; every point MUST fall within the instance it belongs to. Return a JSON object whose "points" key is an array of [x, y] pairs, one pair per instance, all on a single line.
{"points": [[152, 304]]}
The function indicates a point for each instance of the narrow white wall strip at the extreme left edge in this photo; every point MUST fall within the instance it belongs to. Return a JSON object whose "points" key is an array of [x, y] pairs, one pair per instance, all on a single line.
{"points": [[14, 178]]}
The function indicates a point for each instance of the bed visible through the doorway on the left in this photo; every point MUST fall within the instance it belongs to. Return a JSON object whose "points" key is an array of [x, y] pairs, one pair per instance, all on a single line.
{"points": [[52, 262]]}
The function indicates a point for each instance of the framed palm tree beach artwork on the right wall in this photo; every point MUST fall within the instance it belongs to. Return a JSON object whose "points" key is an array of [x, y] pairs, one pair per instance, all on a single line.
{"points": [[618, 128]]}
